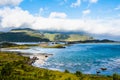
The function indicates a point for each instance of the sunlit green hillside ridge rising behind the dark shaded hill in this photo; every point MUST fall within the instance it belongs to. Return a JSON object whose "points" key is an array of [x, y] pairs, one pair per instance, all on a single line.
{"points": [[52, 36]]}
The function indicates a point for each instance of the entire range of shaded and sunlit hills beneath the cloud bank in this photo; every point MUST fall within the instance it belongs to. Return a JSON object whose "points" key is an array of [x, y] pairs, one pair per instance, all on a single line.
{"points": [[30, 35]]}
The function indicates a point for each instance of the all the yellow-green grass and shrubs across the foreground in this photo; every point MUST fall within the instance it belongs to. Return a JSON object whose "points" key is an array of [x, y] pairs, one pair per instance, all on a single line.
{"points": [[15, 67]]}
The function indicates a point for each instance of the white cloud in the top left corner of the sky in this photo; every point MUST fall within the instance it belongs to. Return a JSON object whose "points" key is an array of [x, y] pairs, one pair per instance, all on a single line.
{"points": [[10, 2]]}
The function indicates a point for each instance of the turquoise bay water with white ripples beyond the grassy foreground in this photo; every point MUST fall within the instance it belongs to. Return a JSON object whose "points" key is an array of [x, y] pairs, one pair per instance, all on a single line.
{"points": [[87, 58]]}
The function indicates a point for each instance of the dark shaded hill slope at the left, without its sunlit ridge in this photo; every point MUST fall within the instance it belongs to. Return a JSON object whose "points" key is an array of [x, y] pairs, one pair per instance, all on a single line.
{"points": [[20, 37]]}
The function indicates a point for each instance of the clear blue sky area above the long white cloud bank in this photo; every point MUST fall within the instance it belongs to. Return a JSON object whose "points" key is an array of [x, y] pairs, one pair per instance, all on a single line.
{"points": [[98, 9]]}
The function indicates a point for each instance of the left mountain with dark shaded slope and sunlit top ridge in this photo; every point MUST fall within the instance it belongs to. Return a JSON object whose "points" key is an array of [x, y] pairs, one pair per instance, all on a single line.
{"points": [[21, 35]]}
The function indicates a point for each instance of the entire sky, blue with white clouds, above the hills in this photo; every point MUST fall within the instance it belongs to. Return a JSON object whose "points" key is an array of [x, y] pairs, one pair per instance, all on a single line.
{"points": [[98, 17]]}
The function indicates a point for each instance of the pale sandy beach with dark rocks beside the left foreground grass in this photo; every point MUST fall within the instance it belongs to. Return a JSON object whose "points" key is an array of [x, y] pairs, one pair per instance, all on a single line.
{"points": [[36, 58]]}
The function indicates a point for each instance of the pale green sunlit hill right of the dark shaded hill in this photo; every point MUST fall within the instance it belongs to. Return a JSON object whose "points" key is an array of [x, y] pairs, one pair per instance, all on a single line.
{"points": [[66, 37]]}
